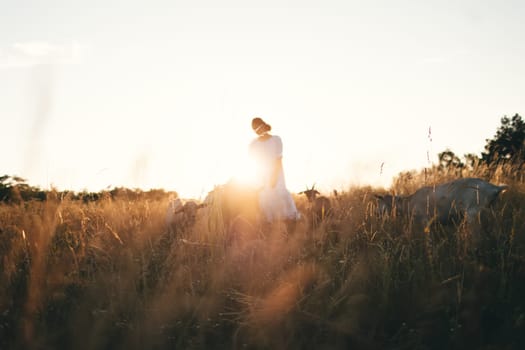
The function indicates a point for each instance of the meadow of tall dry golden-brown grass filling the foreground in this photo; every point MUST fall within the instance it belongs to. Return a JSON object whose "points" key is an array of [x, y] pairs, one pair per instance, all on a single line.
{"points": [[106, 274]]}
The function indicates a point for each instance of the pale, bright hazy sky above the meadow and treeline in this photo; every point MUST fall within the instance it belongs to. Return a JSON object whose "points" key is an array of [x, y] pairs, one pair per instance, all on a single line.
{"points": [[160, 94]]}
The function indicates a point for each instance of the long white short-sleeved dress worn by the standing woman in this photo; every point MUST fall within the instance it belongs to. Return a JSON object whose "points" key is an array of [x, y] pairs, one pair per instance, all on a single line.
{"points": [[275, 202]]}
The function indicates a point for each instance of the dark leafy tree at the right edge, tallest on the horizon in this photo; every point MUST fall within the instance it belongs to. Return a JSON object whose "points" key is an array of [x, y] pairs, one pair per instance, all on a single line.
{"points": [[508, 145]]}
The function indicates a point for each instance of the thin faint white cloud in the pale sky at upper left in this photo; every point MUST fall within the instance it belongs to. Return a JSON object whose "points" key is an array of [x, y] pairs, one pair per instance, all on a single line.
{"points": [[28, 54]]}
